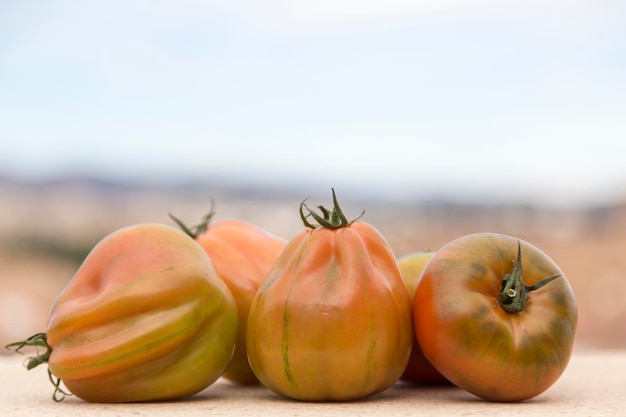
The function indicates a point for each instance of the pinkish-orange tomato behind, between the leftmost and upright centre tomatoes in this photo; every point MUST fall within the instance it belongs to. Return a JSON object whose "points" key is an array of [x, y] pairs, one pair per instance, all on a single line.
{"points": [[243, 255]]}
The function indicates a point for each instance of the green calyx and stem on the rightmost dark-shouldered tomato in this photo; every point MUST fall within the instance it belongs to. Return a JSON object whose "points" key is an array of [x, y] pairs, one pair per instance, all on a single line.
{"points": [[515, 293]]}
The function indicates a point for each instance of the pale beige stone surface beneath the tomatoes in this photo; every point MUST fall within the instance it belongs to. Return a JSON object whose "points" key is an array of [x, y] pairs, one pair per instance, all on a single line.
{"points": [[594, 384]]}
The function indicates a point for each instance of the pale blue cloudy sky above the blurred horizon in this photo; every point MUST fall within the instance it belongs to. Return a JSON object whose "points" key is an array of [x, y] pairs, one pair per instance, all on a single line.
{"points": [[475, 98]]}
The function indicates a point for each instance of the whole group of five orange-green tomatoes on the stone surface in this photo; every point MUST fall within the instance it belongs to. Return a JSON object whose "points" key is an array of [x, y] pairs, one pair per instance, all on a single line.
{"points": [[159, 313]]}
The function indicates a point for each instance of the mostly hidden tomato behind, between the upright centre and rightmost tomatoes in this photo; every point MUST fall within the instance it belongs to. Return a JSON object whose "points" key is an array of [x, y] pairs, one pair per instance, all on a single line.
{"points": [[418, 370]]}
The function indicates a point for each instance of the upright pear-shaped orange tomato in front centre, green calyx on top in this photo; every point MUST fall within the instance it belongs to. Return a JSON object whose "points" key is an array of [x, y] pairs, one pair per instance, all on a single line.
{"points": [[332, 322]]}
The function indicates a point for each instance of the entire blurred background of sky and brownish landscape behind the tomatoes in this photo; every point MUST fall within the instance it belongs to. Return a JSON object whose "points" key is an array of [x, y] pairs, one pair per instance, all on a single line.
{"points": [[439, 118]]}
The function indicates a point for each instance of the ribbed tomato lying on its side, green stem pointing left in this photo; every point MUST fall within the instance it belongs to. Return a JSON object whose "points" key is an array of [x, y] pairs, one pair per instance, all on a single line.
{"points": [[144, 318]]}
